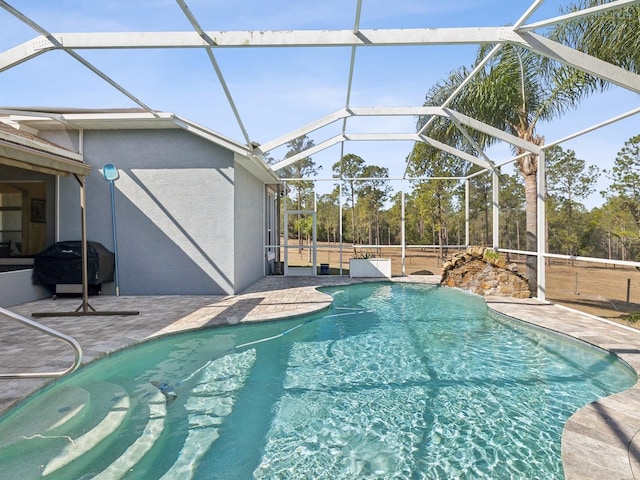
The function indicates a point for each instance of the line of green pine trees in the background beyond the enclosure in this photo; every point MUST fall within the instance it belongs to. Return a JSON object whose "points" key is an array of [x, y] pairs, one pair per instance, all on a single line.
{"points": [[435, 209]]}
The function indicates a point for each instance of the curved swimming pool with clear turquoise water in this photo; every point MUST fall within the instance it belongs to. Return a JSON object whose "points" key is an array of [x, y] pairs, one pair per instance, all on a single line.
{"points": [[395, 381]]}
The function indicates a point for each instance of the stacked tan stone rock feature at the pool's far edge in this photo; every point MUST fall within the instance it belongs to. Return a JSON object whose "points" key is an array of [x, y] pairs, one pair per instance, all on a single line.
{"points": [[483, 271]]}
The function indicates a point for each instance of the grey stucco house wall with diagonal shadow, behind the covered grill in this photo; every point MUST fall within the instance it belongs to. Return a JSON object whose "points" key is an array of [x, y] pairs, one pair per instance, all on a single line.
{"points": [[174, 210]]}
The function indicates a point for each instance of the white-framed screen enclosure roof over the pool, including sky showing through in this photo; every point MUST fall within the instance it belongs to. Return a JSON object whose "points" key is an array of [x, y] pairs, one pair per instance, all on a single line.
{"points": [[351, 75]]}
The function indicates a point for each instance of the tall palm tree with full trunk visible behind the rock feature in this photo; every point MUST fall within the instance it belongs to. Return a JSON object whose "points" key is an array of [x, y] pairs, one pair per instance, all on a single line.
{"points": [[514, 91]]}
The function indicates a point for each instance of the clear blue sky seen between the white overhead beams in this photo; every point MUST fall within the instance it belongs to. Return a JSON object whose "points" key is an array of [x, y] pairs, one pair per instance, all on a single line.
{"points": [[279, 90]]}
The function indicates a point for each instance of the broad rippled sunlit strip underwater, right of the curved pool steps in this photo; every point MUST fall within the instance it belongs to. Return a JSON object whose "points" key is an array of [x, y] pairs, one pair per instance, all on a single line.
{"points": [[211, 401]]}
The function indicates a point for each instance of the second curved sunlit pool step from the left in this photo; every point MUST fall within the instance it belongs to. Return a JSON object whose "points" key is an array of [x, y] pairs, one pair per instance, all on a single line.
{"points": [[84, 443]]}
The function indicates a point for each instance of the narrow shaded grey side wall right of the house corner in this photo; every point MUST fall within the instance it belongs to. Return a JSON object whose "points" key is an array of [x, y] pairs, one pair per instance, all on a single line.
{"points": [[249, 229]]}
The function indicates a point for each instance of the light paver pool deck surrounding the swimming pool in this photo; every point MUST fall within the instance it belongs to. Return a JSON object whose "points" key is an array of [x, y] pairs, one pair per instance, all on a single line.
{"points": [[600, 441]]}
